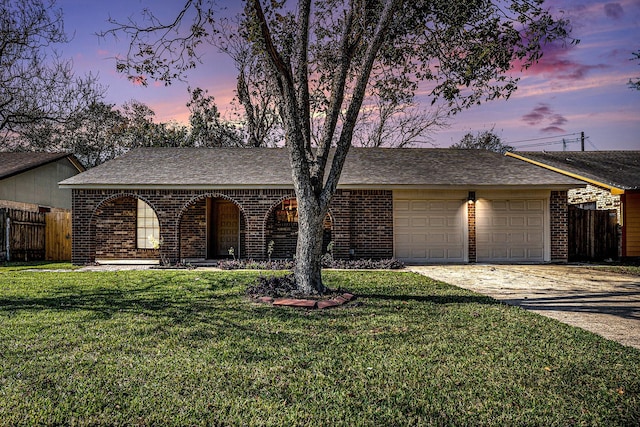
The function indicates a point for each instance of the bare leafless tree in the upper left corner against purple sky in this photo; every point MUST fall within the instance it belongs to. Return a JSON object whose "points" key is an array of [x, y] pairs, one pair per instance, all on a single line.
{"points": [[35, 83]]}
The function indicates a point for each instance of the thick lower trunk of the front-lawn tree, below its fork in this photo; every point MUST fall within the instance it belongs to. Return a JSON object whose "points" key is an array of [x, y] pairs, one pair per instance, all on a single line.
{"points": [[308, 269]]}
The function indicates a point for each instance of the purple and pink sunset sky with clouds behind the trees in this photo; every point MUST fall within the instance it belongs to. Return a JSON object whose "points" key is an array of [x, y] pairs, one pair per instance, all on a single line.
{"points": [[574, 89]]}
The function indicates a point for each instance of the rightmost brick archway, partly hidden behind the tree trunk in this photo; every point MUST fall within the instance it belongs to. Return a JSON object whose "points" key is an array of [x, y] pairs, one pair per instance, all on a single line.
{"points": [[281, 228]]}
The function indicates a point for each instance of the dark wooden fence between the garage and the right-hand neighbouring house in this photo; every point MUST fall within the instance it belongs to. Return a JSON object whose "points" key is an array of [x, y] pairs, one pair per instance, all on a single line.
{"points": [[593, 235]]}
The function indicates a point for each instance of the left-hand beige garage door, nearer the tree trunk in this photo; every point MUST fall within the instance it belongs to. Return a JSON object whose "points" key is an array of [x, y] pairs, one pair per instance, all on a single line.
{"points": [[429, 230]]}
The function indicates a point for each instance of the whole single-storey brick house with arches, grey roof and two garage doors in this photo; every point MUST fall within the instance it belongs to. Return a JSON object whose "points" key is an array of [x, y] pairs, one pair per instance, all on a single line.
{"points": [[418, 205]]}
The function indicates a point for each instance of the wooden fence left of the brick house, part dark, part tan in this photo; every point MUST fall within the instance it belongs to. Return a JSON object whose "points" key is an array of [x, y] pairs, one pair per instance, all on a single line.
{"points": [[35, 236]]}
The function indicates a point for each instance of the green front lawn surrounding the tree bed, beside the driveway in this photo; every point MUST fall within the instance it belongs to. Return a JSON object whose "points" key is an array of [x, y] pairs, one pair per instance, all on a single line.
{"points": [[187, 348]]}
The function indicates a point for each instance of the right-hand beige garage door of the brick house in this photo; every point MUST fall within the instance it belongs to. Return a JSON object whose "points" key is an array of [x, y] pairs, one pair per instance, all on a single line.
{"points": [[510, 230]]}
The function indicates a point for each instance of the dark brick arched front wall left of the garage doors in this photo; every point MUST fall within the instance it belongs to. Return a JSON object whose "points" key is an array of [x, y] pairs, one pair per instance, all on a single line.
{"points": [[362, 222]]}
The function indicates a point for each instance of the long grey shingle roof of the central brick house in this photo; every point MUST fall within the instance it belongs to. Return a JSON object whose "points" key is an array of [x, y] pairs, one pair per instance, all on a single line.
{"points": [[269, 167]]}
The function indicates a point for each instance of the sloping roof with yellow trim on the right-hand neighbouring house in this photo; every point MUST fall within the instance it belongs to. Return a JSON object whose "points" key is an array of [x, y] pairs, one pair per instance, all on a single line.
{"points": [[617, 171]]}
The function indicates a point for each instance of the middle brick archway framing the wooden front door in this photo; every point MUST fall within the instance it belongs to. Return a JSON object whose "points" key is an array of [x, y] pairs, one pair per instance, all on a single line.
{"points": [[212, 227]]}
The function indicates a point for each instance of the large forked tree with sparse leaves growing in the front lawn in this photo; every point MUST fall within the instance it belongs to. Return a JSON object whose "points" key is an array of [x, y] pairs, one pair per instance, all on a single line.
{"points": [[322, 55]]}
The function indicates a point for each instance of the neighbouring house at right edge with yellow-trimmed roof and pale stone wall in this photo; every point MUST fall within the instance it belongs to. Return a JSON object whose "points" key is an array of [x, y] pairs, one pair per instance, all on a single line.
{"points": [[613, 182]]}
